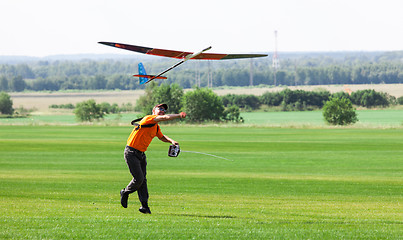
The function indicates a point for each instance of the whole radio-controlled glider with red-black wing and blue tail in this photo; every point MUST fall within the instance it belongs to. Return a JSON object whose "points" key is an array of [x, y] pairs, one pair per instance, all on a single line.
{"points": [[185, 56]]}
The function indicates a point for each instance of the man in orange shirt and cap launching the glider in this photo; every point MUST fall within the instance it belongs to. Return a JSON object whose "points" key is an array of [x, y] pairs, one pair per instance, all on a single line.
{"points": [[137, 144]]}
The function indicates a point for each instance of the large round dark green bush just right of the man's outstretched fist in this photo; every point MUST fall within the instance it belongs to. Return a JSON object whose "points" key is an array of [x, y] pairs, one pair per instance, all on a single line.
{"points": [[203, 104]]}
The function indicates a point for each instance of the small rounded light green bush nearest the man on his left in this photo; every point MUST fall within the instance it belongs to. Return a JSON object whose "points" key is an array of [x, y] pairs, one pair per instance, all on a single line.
{"points": [[88, 111]]}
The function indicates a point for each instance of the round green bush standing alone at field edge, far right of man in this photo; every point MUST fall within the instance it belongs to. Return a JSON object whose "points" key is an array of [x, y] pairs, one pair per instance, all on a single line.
{"points": [[339, 111]]}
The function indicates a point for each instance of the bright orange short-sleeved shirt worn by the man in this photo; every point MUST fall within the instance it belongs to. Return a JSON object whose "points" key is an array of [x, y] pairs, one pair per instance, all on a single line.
{"points": [[141, 137]]}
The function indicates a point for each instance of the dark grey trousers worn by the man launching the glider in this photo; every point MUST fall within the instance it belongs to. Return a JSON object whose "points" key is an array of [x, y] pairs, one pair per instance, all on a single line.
{"points": [[137, 163]]}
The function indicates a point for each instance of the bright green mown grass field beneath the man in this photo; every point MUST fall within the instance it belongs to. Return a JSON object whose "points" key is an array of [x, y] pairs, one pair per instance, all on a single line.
{"points": [[63, 182]]}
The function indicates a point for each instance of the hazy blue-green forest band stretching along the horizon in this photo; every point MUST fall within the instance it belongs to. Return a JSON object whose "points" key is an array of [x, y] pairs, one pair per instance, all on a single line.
{"points": [[359, 68]]}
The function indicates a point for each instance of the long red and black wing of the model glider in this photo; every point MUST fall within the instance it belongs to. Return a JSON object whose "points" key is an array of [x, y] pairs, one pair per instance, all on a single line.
{"points": [[180, 54]]}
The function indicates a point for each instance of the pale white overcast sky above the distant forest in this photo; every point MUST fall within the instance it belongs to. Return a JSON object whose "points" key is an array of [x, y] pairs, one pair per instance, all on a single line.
{"points": [[49, 27]]}
